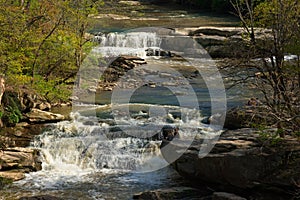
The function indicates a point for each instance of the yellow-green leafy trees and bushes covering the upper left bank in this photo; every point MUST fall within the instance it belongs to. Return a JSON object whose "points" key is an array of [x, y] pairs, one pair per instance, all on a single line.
{"points": [[43, 42]]}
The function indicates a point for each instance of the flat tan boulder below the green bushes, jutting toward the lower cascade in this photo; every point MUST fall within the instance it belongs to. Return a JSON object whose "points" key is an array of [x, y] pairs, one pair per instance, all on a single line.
{"points": [[39, 116]]}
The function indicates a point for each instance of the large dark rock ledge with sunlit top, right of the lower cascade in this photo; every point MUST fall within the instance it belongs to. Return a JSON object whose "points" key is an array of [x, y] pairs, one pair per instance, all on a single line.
{"points": [[240, 159]]}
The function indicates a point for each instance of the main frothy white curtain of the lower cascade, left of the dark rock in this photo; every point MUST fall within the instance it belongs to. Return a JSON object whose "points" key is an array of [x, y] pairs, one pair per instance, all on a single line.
{"points": [[77, 144]]}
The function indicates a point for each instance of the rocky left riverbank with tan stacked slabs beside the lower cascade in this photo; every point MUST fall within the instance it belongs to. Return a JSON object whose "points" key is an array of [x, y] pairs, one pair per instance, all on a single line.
{"points": [[24, 115]]}
